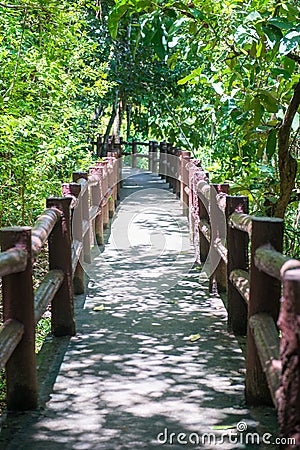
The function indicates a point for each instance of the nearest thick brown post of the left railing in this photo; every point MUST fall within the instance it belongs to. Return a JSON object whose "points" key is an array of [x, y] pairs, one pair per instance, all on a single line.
{"points": [[18, 304]]}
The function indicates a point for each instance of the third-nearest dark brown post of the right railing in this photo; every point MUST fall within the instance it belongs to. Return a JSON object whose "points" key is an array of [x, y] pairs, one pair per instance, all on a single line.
{"points": [[237, 258]]}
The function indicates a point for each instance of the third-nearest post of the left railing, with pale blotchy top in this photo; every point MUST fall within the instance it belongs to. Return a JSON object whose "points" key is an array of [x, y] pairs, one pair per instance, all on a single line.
{"points": [[74, 189]]}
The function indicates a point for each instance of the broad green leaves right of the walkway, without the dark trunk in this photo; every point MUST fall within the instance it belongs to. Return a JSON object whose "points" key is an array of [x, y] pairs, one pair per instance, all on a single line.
{"points": [[236, 68]]}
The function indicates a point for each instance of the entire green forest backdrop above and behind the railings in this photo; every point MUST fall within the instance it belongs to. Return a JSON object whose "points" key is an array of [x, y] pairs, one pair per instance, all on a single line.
{"points": [[218, 78]]}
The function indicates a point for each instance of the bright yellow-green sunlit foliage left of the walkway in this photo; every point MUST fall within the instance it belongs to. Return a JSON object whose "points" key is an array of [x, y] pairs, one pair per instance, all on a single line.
{"points": [[50, 83]]}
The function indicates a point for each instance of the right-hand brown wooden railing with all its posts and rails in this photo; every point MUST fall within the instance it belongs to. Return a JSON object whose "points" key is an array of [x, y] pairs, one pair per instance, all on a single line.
{"points": [[245, 259]]}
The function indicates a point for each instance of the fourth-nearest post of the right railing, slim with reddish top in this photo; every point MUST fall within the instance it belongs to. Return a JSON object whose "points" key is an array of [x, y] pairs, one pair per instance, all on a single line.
{"points": [[218, 238]]}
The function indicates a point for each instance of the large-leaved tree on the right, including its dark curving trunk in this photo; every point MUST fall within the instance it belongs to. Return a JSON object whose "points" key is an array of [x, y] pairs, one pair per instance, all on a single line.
{"points": [[241, 62]]}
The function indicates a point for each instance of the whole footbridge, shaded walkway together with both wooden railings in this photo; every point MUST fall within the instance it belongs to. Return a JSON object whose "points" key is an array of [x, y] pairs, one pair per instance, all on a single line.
{"points": [[145, 354]]}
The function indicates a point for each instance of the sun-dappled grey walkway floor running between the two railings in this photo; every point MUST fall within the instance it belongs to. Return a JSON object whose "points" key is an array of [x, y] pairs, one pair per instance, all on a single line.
{"points": [[151, 356]]}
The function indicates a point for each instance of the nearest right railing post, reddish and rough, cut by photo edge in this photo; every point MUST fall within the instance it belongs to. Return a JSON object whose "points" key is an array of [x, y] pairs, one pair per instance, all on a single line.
{"points": [[289, 398]]}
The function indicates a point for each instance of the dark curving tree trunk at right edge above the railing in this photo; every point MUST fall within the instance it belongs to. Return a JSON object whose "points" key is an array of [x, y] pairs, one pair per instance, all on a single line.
{"points": [[287, 164]]}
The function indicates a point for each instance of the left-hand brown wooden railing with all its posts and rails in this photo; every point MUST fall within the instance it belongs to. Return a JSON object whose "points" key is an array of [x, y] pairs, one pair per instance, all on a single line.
{"points": [[70, 224]]}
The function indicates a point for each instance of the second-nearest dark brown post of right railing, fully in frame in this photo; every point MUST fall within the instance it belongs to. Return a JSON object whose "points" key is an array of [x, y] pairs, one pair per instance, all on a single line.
{"points": [[265, 293]]}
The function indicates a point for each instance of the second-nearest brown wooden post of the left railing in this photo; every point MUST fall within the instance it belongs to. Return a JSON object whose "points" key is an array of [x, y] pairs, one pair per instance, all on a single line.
{"points": [[60, 257]]}
